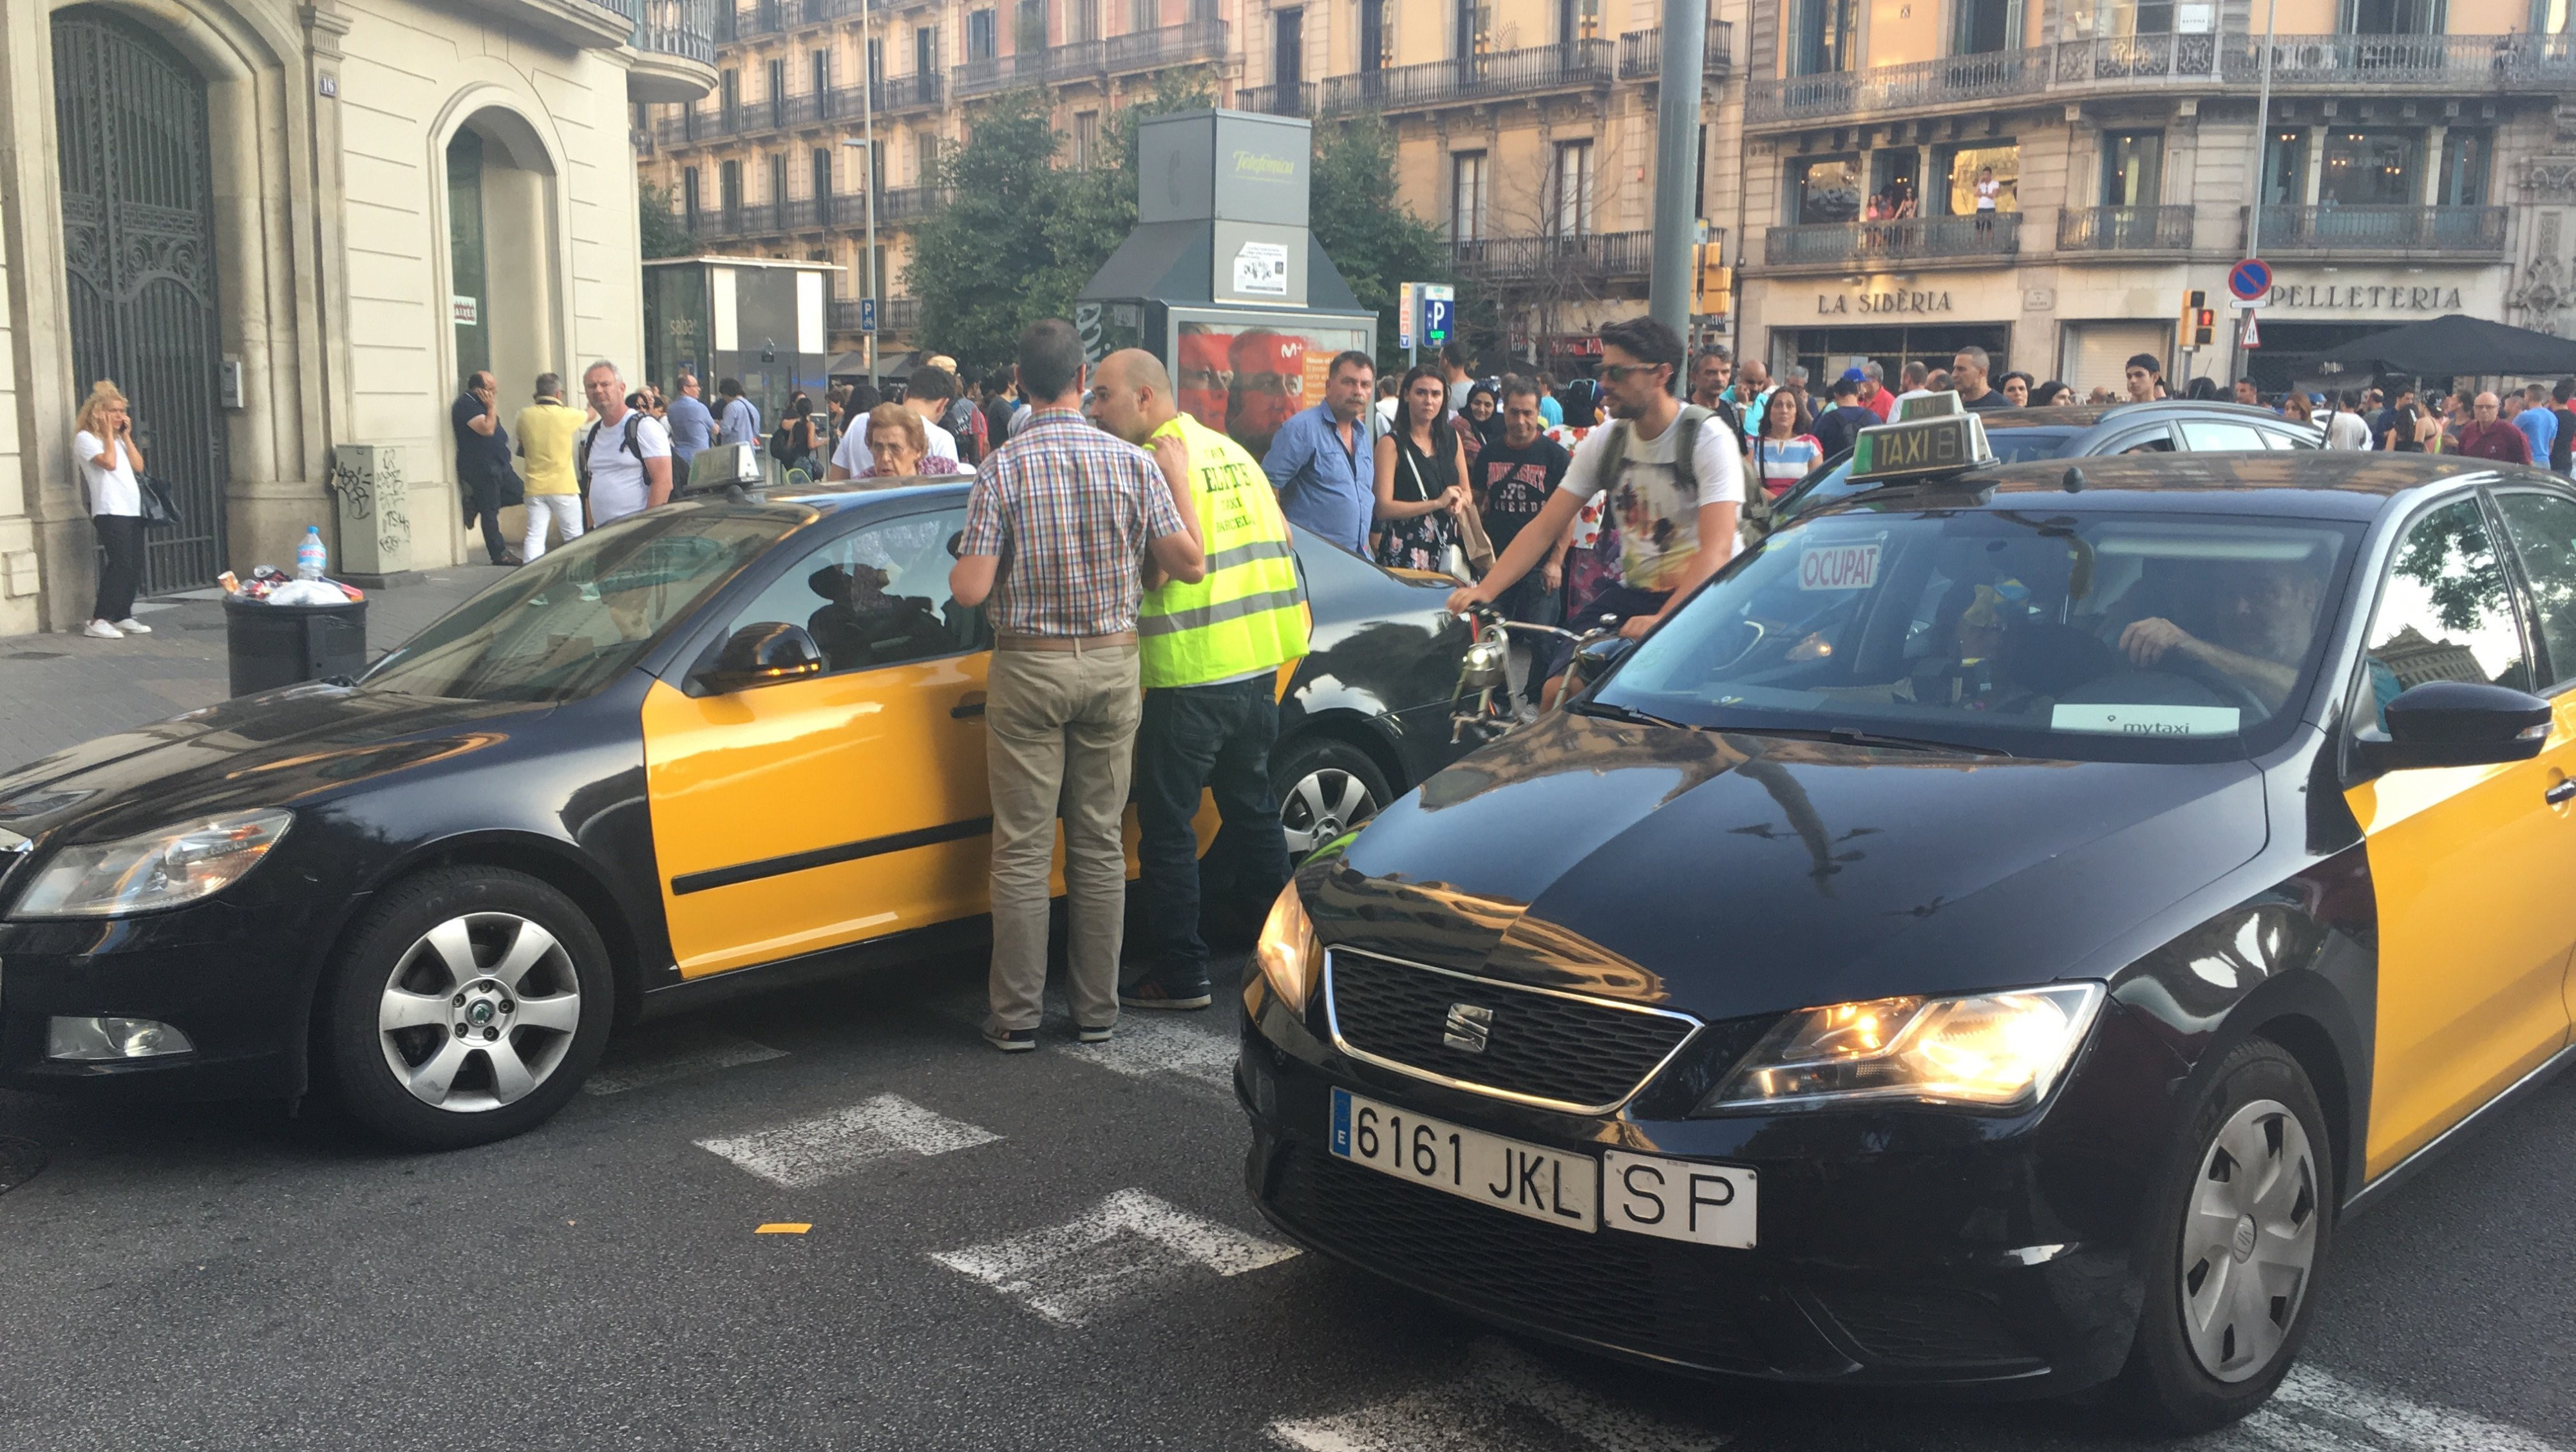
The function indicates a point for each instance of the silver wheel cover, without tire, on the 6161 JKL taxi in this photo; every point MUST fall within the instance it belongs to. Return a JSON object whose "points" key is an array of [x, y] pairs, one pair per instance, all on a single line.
{"points": [[2250, 1242]]}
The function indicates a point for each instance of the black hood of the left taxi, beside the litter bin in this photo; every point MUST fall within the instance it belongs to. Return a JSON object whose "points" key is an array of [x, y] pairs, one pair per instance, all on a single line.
{"points": [[261, 750]]}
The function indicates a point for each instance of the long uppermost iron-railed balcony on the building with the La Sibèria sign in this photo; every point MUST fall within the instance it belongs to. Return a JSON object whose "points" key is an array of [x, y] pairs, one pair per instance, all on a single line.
{"points": [[2515, 63]]}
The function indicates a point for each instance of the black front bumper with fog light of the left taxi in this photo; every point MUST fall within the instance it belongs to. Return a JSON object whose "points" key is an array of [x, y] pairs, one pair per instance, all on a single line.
{"points": [[233, 977]]}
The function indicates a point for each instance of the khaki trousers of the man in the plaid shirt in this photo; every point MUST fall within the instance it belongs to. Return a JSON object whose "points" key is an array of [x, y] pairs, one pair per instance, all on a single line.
{"points": [[1060, 730]]}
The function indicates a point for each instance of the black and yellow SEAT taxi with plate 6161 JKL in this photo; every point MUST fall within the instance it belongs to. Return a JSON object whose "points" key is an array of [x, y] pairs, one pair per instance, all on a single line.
{"points": [[1987, 938]]}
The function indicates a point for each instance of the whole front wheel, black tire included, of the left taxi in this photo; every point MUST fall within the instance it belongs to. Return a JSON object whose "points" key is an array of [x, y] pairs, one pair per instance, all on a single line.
{"points": [[468, 1008]]}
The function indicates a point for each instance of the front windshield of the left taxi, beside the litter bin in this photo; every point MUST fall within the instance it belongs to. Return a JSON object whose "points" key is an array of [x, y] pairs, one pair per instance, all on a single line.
{"points": [[573, 619]]}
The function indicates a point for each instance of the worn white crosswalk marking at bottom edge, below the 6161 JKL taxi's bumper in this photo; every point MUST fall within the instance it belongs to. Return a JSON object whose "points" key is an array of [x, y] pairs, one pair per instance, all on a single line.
{"points": [[1506, 1402]]}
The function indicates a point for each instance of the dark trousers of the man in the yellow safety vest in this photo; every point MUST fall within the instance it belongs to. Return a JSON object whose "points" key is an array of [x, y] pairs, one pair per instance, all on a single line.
{"points": [[1204, 738]]}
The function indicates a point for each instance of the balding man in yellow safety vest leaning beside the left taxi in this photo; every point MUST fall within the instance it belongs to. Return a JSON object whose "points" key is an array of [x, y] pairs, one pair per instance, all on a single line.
{"points": [[1212, 658]]}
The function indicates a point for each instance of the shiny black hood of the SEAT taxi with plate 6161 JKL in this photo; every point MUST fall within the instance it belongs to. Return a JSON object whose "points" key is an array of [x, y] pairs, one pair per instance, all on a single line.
{"points": [[1732, 874]]}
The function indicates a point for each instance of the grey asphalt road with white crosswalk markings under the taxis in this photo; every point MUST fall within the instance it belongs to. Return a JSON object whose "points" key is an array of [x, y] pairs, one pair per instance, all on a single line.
{"points": [[1050, 1250]]}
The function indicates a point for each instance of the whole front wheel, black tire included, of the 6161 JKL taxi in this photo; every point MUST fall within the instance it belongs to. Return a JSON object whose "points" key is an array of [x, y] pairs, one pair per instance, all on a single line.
{"points": [[2227, 1309]]}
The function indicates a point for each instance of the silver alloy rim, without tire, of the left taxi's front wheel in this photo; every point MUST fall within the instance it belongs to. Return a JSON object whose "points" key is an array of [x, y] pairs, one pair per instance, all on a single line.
{"points": [[478, 1013]]}
